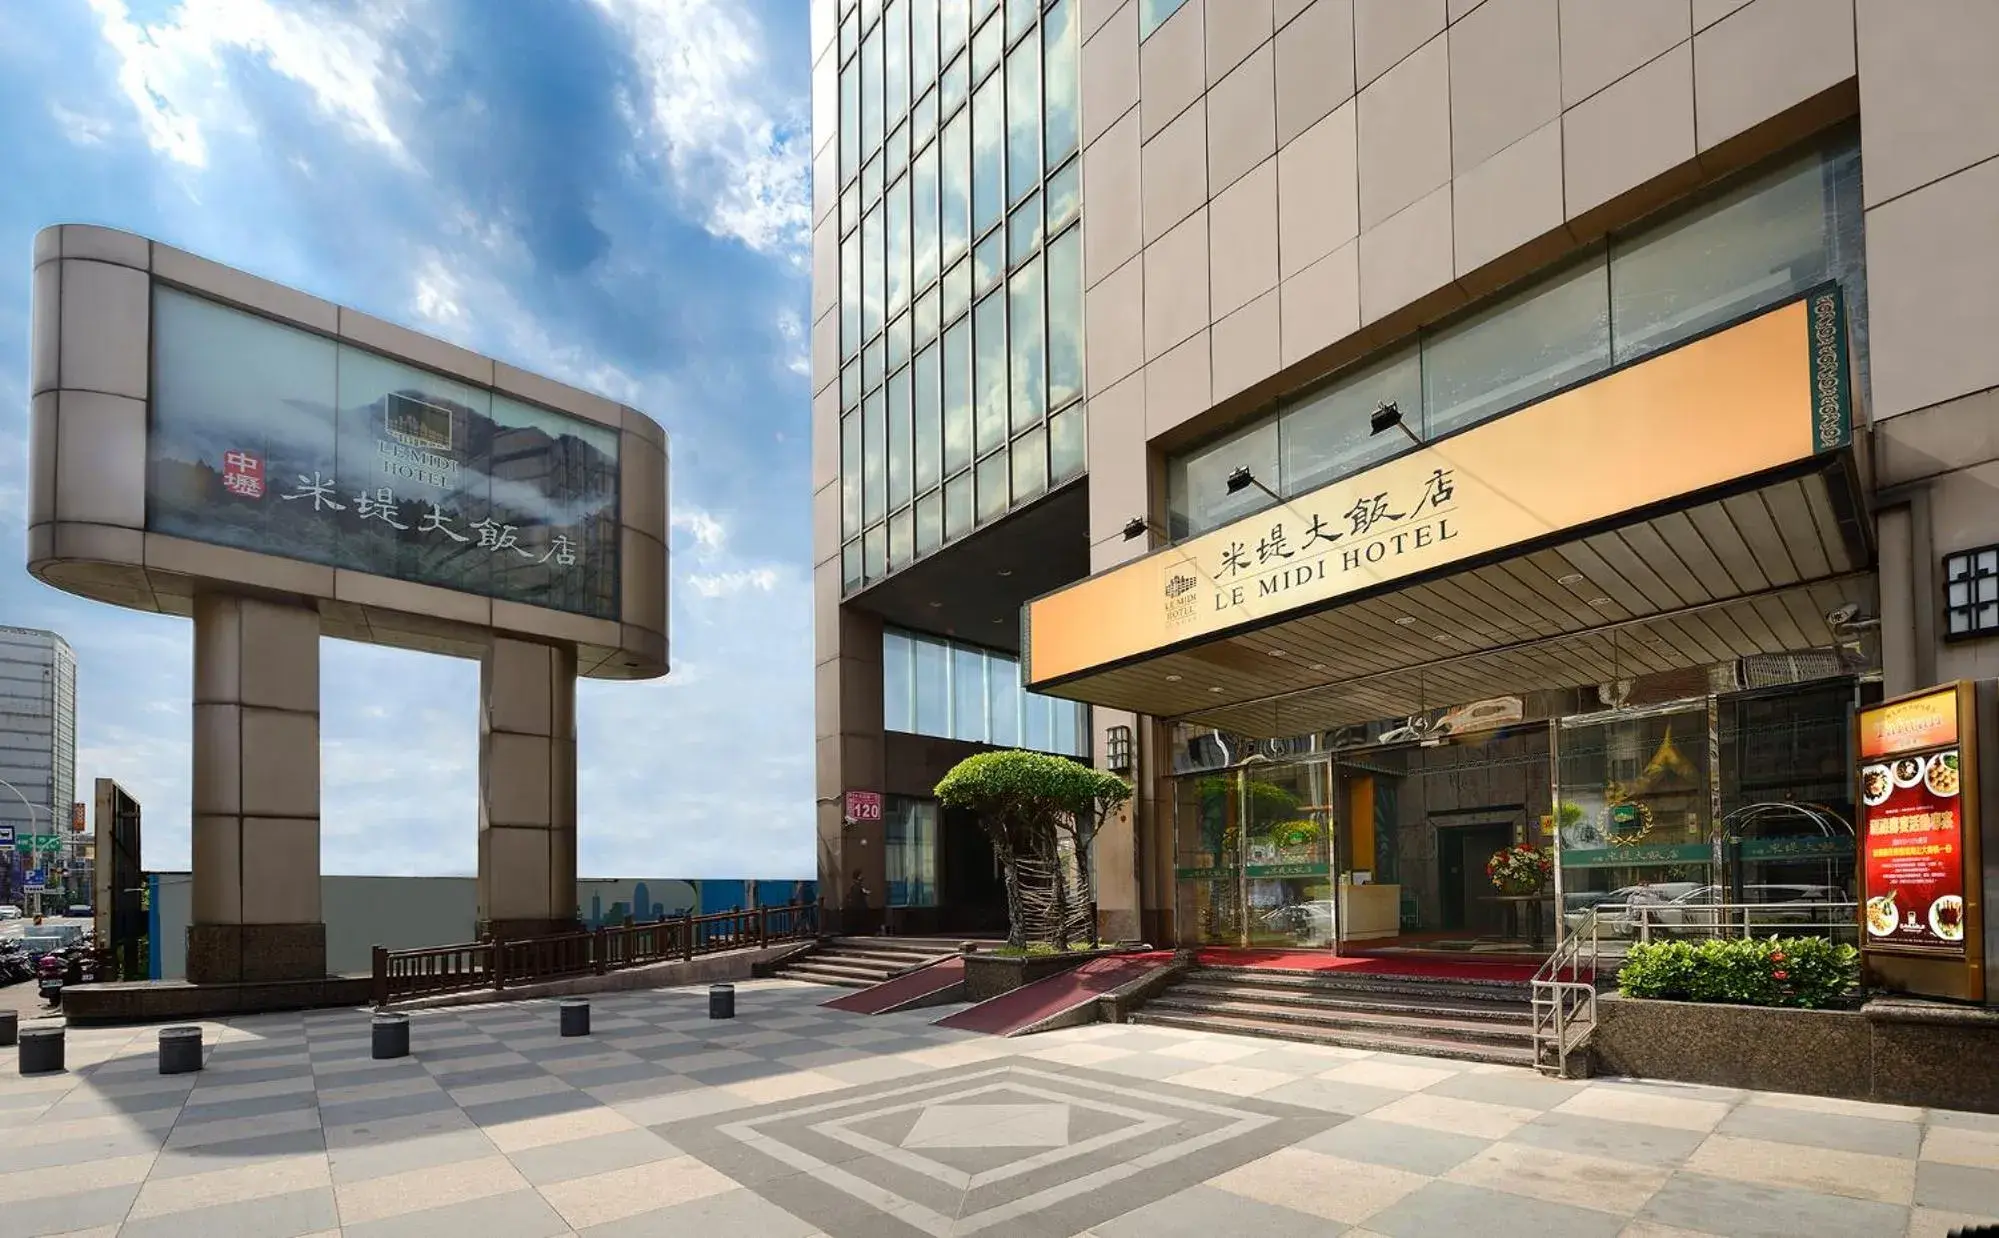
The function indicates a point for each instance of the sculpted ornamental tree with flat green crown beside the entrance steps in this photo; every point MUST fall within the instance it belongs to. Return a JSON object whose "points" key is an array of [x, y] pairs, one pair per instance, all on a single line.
{"points": [[1040, 813]]}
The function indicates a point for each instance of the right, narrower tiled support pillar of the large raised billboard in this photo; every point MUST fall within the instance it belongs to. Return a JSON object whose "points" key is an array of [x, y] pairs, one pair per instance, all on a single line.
{"points": [[527, 789]]}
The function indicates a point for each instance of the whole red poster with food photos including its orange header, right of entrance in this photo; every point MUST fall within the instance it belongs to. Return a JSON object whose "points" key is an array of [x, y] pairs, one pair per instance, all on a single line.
{"points": [[1914, 829]]}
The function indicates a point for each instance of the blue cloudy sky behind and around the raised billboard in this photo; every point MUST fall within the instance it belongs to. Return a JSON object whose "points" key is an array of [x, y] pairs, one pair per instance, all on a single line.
{"points": [[613, 193]]}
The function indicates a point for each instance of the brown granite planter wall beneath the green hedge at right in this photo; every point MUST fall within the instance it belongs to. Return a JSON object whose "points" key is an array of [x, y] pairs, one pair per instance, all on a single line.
{"points": [[1890, 1051]]}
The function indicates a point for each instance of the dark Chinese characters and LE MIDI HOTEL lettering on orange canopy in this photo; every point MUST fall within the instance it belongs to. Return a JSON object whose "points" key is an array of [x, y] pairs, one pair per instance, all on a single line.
{"points": [[1304, 547]]}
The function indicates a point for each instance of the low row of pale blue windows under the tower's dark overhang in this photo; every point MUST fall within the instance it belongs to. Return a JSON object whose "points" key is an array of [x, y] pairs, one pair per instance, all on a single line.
{"points": [[953, 691]]}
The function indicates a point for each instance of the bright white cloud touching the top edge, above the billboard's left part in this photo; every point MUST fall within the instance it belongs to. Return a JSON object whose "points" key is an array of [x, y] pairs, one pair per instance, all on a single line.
{"points": [[177, 79]]}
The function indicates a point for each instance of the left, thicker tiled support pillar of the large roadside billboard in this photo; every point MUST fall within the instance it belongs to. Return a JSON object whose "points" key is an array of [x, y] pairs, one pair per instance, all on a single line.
{"points": [[257, 793]]}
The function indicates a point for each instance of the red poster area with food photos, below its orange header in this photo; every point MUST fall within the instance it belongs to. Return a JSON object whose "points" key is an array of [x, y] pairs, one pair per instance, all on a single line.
{"points": [[1916, 873]]}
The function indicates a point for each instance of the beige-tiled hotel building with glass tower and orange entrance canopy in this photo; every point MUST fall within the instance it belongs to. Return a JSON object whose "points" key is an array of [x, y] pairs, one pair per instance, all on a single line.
{"points": [[1390, 431]]}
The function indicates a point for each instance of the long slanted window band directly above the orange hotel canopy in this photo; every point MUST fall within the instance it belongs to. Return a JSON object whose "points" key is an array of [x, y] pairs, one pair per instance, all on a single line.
{"points": [[1750, 247]]}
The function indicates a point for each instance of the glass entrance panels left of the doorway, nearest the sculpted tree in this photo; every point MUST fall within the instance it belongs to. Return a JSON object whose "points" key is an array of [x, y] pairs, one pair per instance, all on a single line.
{"points": [[1254, 857]]}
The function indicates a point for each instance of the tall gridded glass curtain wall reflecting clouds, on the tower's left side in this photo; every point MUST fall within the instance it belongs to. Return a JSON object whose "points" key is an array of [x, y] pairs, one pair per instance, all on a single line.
{"points": [[961, 271]]}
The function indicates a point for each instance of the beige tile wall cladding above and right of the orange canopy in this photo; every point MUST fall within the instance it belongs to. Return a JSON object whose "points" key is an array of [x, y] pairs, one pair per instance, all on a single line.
{"points": [[1278, 189]]}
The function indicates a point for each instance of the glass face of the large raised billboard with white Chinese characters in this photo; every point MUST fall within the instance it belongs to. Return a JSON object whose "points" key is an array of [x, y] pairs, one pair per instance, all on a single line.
{"points": [[287, 443]]}
